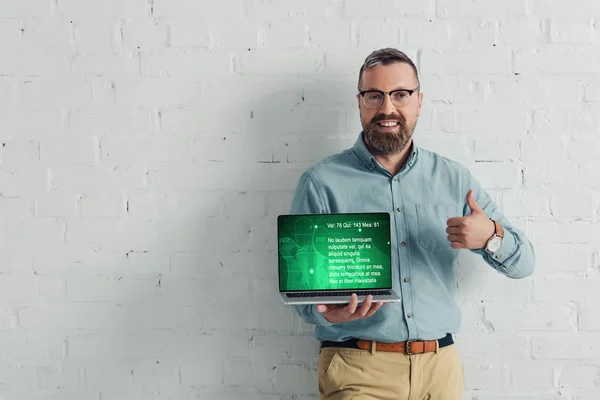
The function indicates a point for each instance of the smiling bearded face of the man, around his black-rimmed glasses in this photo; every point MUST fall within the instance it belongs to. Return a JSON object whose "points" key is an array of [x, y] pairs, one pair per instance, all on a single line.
{"points": [[389, 128]]}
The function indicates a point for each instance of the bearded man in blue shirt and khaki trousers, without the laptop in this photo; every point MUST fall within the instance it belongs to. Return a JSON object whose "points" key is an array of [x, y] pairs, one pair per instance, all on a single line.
{"points": [[403, 350]]}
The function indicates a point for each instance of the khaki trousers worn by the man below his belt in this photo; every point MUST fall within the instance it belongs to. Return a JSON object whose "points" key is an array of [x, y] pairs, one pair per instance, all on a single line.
{"points": [[346, 374]]}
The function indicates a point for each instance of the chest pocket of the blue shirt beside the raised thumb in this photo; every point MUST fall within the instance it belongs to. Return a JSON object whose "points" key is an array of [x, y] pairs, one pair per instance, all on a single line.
{"points": [[432, 223]]}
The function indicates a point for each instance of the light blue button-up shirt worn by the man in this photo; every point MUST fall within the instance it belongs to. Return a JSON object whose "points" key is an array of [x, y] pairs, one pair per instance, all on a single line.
{"points": [[426, 192]]}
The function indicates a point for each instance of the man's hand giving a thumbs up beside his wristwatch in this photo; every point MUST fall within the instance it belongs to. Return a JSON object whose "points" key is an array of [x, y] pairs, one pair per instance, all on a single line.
{"points": [[472, 231]]}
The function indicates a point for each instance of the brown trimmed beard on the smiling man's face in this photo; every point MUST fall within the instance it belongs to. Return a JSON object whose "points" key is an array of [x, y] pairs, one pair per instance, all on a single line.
{"points": [[388, 142]]}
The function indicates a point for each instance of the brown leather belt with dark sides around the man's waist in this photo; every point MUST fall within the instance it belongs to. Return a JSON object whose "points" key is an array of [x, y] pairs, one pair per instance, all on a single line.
{"points": [[408, 347]]}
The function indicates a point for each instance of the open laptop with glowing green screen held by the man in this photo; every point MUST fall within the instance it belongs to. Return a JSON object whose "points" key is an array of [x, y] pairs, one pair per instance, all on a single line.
{"points": [[324, 258]]}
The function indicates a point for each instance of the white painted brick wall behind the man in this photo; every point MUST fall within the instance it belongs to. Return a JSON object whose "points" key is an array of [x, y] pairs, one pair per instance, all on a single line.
{"points": [[147, 147]]}
